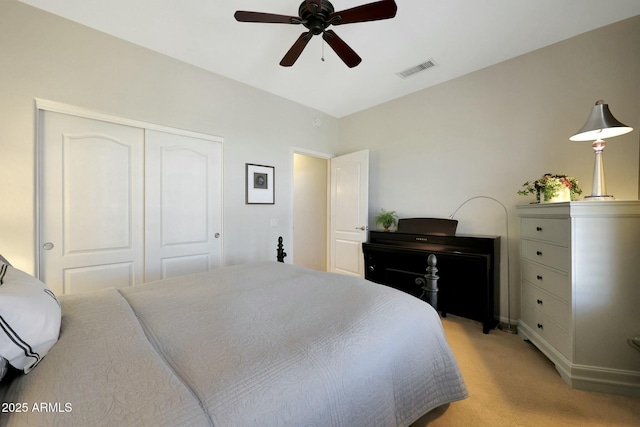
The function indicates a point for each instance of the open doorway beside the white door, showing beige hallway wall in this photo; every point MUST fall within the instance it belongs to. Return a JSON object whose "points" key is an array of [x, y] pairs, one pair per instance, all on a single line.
{"points": [[310, 210]]}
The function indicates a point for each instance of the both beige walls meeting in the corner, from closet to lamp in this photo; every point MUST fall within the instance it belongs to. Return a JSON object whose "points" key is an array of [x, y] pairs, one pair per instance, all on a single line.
{"points": [[481, 134]]}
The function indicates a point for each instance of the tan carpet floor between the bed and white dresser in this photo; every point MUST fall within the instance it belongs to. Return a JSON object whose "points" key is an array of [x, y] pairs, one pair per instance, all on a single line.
{"points": [[513, 384]]}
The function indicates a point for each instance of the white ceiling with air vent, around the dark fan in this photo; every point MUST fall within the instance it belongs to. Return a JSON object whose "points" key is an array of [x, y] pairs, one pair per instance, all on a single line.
{"points": [[460, 36]]}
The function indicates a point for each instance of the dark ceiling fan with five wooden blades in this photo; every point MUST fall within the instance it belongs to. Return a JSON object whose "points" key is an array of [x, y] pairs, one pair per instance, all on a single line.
{"points": [[317, 15]]}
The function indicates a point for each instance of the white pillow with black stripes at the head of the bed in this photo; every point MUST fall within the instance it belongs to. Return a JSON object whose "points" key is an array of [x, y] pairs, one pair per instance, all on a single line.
{"points": [[29, 318]]}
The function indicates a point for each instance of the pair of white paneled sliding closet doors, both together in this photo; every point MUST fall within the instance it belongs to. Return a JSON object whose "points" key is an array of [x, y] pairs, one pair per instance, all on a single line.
{"points": [[122, 204]]}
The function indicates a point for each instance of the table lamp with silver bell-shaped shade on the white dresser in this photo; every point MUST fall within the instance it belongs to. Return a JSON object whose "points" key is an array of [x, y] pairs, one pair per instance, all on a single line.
{"points": [[600, 124]]}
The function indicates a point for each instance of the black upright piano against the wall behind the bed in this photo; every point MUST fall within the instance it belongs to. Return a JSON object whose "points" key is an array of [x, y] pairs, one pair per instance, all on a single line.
{"points": [[468, 266]]}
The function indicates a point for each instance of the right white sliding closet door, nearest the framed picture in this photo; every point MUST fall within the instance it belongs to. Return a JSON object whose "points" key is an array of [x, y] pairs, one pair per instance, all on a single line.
{"points": [[183, 214]]}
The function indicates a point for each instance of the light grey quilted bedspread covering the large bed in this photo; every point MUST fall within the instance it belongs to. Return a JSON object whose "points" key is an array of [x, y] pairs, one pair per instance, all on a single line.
{"points": [[264, 344]]}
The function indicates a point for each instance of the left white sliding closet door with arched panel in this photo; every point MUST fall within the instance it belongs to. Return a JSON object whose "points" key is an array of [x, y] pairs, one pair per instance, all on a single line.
{"points": [[91, 203]]}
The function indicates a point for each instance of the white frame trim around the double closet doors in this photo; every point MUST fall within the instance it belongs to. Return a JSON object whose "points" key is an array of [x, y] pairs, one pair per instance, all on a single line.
{"points": [[42, 105]]}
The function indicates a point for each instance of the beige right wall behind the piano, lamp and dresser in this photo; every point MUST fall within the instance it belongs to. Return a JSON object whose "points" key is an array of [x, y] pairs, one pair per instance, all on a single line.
{"points": [[488, 132]]}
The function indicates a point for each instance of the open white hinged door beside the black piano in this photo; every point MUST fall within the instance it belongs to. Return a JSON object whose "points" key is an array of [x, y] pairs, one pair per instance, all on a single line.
{"points": [[349, 212]]}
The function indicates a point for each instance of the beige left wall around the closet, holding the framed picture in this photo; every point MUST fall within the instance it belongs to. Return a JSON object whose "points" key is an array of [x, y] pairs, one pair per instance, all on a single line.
{"points": [[44, 56]]}
